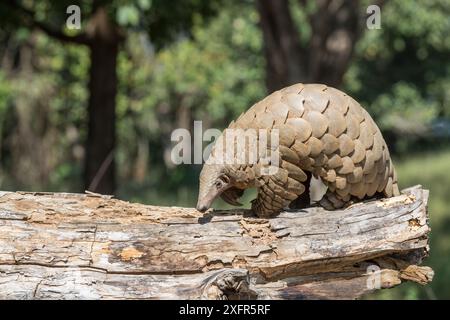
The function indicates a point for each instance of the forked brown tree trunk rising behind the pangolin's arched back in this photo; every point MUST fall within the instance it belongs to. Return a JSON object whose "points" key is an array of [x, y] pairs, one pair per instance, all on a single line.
{"points": [[335, 25]]}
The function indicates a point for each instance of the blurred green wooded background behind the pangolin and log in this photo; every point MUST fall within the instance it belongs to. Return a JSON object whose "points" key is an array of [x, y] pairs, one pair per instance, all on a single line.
{"points": [[94, 108]]}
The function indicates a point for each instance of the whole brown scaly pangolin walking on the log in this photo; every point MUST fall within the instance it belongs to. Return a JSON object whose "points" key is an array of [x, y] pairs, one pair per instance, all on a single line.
{"points": [[321, 132]]}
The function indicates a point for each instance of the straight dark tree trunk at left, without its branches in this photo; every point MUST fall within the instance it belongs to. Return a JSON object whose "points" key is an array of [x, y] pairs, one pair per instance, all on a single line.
{"points": [[99, 173]]}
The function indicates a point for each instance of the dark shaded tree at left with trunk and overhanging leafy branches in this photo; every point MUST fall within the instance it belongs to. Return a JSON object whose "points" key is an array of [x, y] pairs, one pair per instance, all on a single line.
{"points": [[103, 32]]}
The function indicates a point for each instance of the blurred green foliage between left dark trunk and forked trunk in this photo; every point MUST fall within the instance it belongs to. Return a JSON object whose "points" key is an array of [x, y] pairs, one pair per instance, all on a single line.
{"points": [[213, 81]]}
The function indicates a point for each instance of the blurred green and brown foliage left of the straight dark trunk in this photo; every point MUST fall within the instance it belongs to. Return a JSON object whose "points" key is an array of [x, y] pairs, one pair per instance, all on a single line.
{"points": [[42, 113]]}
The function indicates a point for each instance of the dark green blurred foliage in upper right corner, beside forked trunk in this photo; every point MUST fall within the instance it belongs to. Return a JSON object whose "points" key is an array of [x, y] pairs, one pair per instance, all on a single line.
{"points": [[401, 72]]}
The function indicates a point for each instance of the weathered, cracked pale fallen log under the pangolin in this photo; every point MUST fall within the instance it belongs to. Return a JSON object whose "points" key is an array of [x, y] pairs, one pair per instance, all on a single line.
{"points": [[78, 246]]}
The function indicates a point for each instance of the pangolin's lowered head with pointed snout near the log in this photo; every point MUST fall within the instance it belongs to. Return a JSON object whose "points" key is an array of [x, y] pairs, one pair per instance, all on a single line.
{"points": [[217, 180]]}
